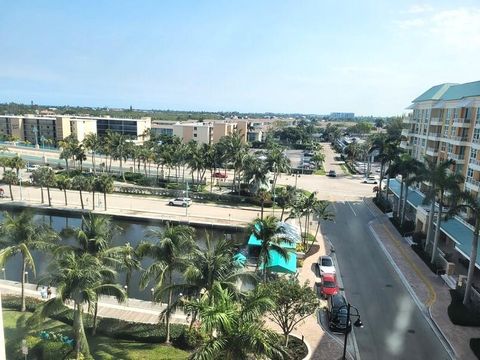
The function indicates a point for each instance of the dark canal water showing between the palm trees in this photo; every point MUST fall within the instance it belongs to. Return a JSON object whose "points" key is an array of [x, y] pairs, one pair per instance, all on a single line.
{"points": [[130, 231]]}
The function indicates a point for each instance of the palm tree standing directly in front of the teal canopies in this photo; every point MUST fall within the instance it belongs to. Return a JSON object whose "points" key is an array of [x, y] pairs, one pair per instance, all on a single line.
{"points": [[272, 236]]}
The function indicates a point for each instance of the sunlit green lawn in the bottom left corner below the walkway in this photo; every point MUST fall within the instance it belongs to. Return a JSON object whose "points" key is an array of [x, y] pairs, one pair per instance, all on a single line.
{"points": [[101, 347]]}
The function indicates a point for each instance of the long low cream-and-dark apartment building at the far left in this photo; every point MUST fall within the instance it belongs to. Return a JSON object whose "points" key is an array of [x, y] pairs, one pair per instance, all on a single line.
{"points": [[37, 129]]}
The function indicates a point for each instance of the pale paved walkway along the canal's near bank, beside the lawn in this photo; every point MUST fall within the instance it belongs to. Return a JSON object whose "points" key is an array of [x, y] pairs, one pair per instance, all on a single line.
{"points": [[132, 310]]}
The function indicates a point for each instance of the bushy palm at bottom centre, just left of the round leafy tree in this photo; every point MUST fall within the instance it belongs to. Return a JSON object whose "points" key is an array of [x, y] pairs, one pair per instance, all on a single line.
{"points": [[235, 330]]}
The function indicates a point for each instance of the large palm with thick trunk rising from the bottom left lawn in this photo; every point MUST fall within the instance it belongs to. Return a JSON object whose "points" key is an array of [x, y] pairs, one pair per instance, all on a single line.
{"points": [[79, 277]]}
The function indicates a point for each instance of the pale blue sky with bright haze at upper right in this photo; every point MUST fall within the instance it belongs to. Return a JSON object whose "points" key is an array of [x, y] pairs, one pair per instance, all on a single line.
{"points": [[289, 56]]}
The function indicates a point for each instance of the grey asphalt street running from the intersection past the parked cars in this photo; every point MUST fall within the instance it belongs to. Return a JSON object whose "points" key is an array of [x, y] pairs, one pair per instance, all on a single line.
{"points": [[395, 328]]}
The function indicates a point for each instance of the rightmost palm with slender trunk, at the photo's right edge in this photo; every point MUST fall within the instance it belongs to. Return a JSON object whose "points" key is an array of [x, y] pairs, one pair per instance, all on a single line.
{"points": [[472, 204]]}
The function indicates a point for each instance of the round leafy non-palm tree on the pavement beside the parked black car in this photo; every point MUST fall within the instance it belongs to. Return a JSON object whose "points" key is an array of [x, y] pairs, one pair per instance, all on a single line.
{"points": [[293, 301]]}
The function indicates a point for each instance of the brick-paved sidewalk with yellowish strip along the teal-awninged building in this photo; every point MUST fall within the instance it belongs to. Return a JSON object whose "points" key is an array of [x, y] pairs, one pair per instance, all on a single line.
{"points": [[431, 291]]}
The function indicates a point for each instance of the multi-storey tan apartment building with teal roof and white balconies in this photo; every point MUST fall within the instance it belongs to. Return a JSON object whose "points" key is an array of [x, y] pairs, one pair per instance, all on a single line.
{"points": [[445, 124]]}
